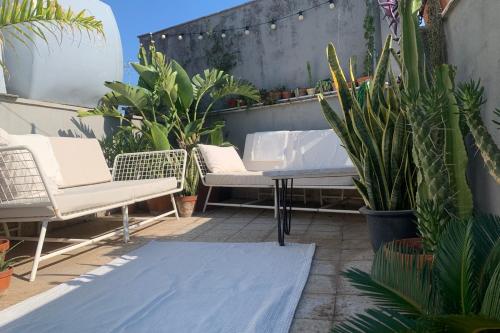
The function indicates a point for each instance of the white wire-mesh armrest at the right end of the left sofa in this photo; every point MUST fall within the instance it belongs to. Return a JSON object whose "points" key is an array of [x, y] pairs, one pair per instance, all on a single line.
{"points": [[151, 165]]}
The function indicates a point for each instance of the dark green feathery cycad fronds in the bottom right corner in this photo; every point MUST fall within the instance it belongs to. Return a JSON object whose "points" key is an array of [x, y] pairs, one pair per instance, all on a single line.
{"points": [[457, 293]]}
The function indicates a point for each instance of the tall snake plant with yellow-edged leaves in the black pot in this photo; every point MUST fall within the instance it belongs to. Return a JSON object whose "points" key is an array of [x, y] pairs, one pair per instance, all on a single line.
{"points": [[374, 130]]}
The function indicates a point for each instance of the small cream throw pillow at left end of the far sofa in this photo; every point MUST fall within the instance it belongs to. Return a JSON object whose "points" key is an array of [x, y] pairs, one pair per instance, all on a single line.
{"points": [[221, 159]]}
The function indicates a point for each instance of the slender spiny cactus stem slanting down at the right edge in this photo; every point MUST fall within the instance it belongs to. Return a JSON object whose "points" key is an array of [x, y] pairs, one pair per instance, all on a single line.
{"points": [[471, 97]]}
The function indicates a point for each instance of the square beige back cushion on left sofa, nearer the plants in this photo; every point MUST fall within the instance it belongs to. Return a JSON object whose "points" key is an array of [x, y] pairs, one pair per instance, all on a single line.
{"points": [[81, 162]]}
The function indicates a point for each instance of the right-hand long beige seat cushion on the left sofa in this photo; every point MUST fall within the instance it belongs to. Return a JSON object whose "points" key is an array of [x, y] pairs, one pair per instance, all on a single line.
{"points": [[81, 198]]}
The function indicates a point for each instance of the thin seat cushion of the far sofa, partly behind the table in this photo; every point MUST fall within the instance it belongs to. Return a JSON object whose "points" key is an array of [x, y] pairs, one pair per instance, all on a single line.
{"points": [[255, 178]]}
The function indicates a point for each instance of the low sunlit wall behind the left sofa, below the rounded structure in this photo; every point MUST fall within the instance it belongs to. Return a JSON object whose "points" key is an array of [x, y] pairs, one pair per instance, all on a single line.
{"points": [[23, 116]]}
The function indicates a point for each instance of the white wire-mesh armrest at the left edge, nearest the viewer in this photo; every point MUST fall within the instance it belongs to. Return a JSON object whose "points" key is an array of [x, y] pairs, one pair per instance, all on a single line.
{"points": [[22, 180]]}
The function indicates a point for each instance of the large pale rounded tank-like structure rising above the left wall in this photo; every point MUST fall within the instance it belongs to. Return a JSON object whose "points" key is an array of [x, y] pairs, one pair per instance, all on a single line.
{"points": [[68, 71]]}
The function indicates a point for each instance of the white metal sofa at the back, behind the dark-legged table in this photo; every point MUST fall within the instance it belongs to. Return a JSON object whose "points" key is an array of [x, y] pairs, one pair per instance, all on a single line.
{"points": [[316, 149]]}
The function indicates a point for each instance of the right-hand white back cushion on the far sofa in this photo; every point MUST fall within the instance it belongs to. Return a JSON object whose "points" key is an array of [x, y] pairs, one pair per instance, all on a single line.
{"points": [[316, 149]]}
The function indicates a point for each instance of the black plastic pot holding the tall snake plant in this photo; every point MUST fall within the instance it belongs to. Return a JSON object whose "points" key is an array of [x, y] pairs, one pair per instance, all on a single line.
{"points": [[387, 226]]}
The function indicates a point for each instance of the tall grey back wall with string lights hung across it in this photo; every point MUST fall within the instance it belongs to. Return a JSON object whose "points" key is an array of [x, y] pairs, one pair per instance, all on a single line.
{"points": [[272, 58]]}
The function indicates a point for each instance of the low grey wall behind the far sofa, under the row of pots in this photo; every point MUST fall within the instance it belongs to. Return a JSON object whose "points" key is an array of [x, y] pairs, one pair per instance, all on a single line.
{"points": [[297, 115]]}
